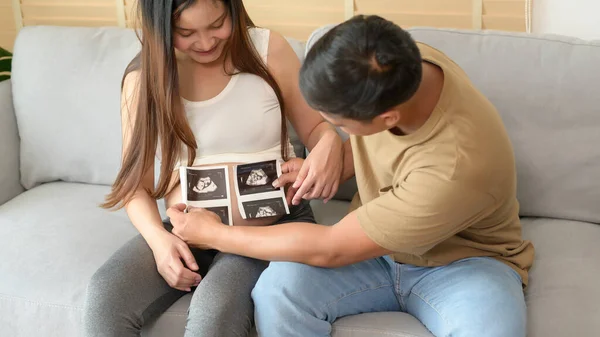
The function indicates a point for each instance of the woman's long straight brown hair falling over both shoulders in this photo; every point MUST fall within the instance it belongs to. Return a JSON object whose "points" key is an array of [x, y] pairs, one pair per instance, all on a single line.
{"points": [[160, 116]]}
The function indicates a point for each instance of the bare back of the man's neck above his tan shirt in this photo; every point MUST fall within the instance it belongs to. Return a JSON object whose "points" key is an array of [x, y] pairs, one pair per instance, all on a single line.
{"points": [[415, 113]]}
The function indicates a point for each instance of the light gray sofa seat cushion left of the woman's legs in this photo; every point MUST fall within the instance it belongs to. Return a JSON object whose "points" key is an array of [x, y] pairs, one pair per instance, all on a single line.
{"points": [[53, 238]]}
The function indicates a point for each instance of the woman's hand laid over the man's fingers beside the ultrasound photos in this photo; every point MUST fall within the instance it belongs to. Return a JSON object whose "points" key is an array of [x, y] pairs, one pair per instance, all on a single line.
{"points": [[319, 175]]}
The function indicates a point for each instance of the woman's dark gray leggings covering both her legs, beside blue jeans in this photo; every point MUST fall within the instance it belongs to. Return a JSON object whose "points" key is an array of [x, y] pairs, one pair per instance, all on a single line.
{"points": [[128, 292]]}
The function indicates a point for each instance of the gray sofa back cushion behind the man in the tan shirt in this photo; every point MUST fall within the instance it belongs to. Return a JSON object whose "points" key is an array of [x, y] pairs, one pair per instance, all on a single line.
{"points": [[545, 89]]}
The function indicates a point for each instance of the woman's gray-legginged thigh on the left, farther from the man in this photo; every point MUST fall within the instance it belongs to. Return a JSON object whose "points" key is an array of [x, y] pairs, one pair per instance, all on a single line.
{"points": [[126, 292]]}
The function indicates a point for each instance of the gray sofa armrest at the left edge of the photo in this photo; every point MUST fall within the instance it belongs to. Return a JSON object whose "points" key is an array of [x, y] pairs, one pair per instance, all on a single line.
{"points": [[10, 185]]}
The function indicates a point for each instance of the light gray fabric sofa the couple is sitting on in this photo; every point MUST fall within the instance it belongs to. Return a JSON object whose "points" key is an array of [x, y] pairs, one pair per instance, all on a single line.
{"points": [[60, 148]]}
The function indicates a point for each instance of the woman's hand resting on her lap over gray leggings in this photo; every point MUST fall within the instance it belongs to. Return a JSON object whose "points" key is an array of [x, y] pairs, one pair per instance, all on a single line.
{"points": [[169, 251]]}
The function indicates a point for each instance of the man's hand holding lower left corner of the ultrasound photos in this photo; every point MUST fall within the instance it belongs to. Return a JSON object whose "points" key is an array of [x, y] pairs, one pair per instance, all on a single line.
{"points": [[192, 226]]}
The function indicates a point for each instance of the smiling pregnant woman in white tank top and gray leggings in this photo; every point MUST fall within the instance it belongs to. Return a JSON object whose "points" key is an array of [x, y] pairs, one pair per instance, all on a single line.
{"points": [[207, 88]]}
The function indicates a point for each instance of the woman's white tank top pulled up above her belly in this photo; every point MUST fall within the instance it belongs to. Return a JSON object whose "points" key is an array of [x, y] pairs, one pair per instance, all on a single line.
{"points": [[243, 122]]}
